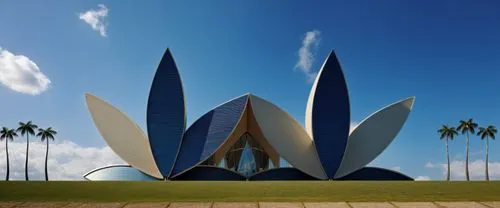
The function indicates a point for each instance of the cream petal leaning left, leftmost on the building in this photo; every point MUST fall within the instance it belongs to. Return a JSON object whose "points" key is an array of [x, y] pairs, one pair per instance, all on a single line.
{"points": [[124, 137]]}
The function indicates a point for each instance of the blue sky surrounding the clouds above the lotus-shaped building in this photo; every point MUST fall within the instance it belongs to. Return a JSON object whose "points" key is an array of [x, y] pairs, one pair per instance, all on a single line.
{"points": [[445, 53]]}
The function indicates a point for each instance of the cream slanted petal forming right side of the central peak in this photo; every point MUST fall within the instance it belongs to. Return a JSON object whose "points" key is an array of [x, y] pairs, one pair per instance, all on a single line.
{"points": [[287, 136]]}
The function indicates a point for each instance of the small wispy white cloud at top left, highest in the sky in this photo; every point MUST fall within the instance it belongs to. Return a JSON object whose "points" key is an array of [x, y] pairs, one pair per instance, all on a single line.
{"points": [[96, 18]]}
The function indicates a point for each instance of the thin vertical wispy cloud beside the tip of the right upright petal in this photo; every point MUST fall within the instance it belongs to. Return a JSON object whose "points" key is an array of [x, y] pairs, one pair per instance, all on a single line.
{"points": [[306, 56]]}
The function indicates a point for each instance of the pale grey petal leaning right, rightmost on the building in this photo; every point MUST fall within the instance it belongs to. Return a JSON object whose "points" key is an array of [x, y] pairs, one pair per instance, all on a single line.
{"points": [[373, 135]]}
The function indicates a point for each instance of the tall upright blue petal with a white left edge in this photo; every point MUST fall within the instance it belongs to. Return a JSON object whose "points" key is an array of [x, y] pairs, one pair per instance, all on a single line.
{"points": [[328, 114]]}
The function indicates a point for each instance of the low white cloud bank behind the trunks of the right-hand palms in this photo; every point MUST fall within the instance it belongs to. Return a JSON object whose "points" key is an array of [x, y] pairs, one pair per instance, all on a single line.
{"points": [[476, 169]]}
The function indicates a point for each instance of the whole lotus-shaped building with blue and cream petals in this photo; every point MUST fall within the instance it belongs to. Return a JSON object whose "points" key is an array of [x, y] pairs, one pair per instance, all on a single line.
{"points": [[248, 137]]}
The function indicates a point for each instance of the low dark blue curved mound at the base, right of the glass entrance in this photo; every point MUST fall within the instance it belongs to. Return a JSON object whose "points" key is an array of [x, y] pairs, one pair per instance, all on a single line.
{"points": [[281, 174]]}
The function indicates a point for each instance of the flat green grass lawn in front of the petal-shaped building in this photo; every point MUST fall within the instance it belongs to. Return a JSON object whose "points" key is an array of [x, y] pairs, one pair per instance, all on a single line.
{"points": [[250, 191]]}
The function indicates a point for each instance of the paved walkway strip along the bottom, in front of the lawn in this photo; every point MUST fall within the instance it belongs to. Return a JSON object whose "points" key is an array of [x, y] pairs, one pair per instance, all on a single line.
{"points": [[255, 205]]}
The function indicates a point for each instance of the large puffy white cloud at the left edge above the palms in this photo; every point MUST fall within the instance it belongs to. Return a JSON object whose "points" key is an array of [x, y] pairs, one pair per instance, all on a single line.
{"points": [[21, 74]]}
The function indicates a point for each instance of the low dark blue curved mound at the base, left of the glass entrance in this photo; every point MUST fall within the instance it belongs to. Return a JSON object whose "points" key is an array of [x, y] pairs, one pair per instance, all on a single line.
{"points": [[210, 173]]}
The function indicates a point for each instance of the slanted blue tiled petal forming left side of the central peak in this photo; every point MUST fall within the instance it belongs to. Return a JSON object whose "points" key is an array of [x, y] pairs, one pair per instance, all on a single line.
{"points": [[208, 133]]}
